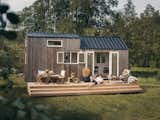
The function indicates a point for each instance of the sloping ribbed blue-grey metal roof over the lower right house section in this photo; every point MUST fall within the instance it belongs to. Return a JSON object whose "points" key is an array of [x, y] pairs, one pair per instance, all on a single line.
{"points": [[105, 42]]}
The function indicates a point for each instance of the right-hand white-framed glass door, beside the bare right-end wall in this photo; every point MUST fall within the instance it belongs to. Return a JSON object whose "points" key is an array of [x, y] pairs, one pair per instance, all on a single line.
{"points": [[114, 63]]}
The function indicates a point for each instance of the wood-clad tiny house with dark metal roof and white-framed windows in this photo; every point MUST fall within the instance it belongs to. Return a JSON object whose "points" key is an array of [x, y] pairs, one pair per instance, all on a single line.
{"points": [[106, 55]]}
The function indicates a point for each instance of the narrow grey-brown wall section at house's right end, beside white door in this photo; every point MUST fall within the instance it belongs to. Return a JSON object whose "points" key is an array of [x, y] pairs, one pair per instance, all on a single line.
{"points": [[123, 60]]}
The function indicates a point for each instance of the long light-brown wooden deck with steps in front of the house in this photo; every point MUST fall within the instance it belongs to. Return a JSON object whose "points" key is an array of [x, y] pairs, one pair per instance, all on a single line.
{"points": [[41, 89]]}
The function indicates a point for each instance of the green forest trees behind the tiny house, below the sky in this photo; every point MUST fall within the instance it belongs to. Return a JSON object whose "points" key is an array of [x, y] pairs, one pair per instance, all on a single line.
{"points": [[141, 32]]}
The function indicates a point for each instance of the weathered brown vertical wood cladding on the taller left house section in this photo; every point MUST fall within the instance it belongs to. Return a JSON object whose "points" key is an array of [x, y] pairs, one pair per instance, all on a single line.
{"points": [[41, 57]]}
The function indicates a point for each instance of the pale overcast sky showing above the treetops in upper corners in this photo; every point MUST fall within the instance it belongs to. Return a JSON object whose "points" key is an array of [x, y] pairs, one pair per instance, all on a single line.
{"points": [[17, 5]]}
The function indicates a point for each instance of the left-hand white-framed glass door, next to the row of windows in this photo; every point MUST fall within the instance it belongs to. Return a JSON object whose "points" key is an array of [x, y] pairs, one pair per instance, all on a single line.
{"points": [[90, 61]]}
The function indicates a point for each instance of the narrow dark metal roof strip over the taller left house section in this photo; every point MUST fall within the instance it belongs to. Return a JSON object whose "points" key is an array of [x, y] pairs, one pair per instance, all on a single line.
{"points": [[51, 35]]}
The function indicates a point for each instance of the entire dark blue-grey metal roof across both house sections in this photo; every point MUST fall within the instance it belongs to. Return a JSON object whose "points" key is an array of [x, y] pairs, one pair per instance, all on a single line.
{"points": [[87, 42]]}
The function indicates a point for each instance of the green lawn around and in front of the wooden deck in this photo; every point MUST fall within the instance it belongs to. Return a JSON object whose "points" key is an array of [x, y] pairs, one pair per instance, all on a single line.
{"points": [[145, 106]]}
